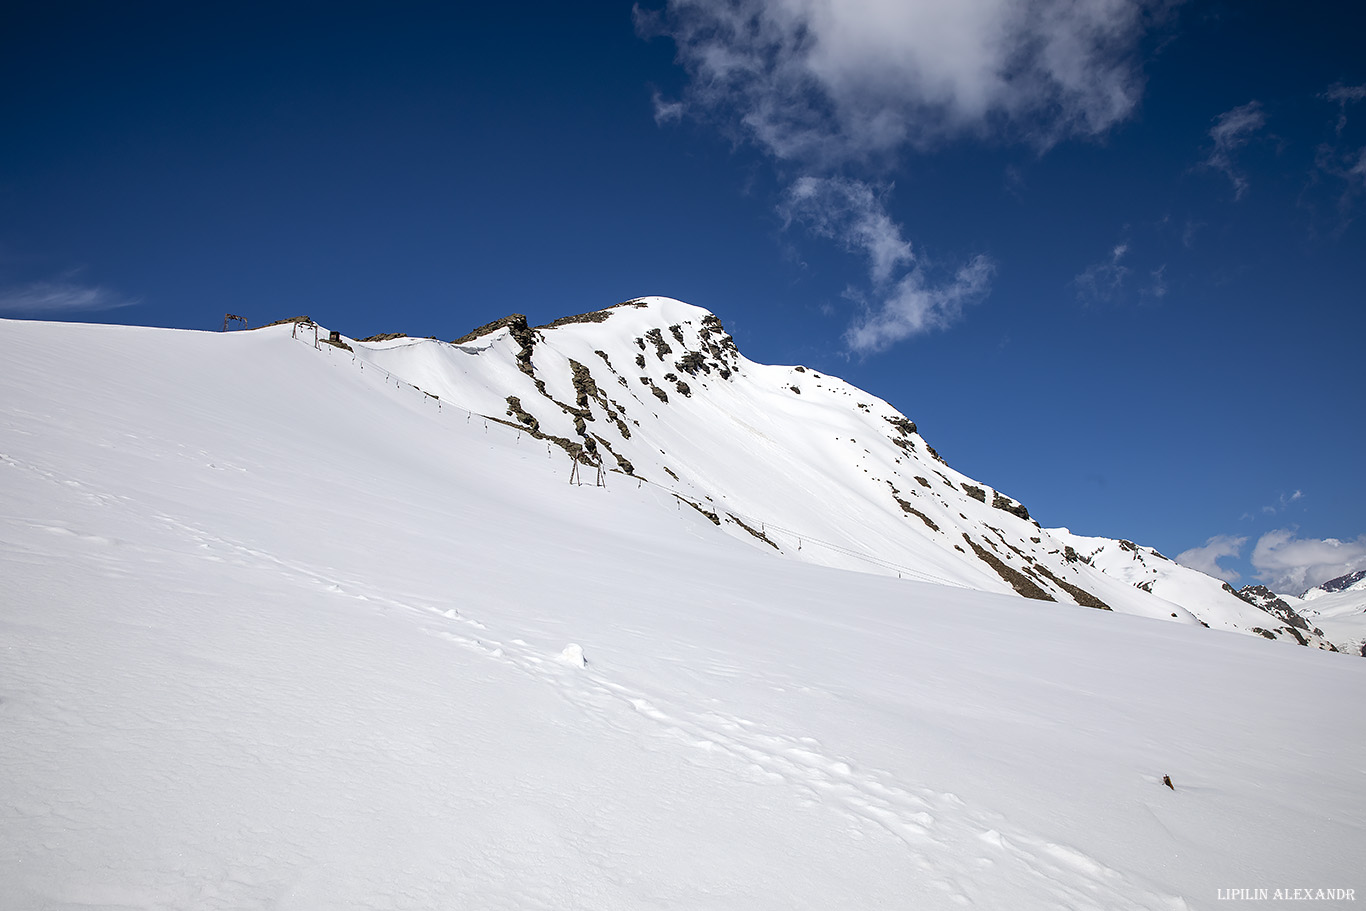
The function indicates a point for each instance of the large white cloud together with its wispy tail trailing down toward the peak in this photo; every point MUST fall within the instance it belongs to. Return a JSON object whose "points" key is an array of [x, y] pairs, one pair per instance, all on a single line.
{"points": [[841, 94]]}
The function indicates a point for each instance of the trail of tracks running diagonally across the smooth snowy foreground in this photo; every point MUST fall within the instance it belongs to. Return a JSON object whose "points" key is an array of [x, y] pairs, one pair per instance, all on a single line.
{"points": [[954, 845]]}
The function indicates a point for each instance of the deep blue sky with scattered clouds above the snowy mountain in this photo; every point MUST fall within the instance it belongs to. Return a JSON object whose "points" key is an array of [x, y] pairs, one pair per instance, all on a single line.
{"points": [[1106, 253]]}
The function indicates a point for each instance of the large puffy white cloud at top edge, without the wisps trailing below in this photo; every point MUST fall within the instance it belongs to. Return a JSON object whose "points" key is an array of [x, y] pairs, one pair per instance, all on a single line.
{"points": [[835, 81]]}
